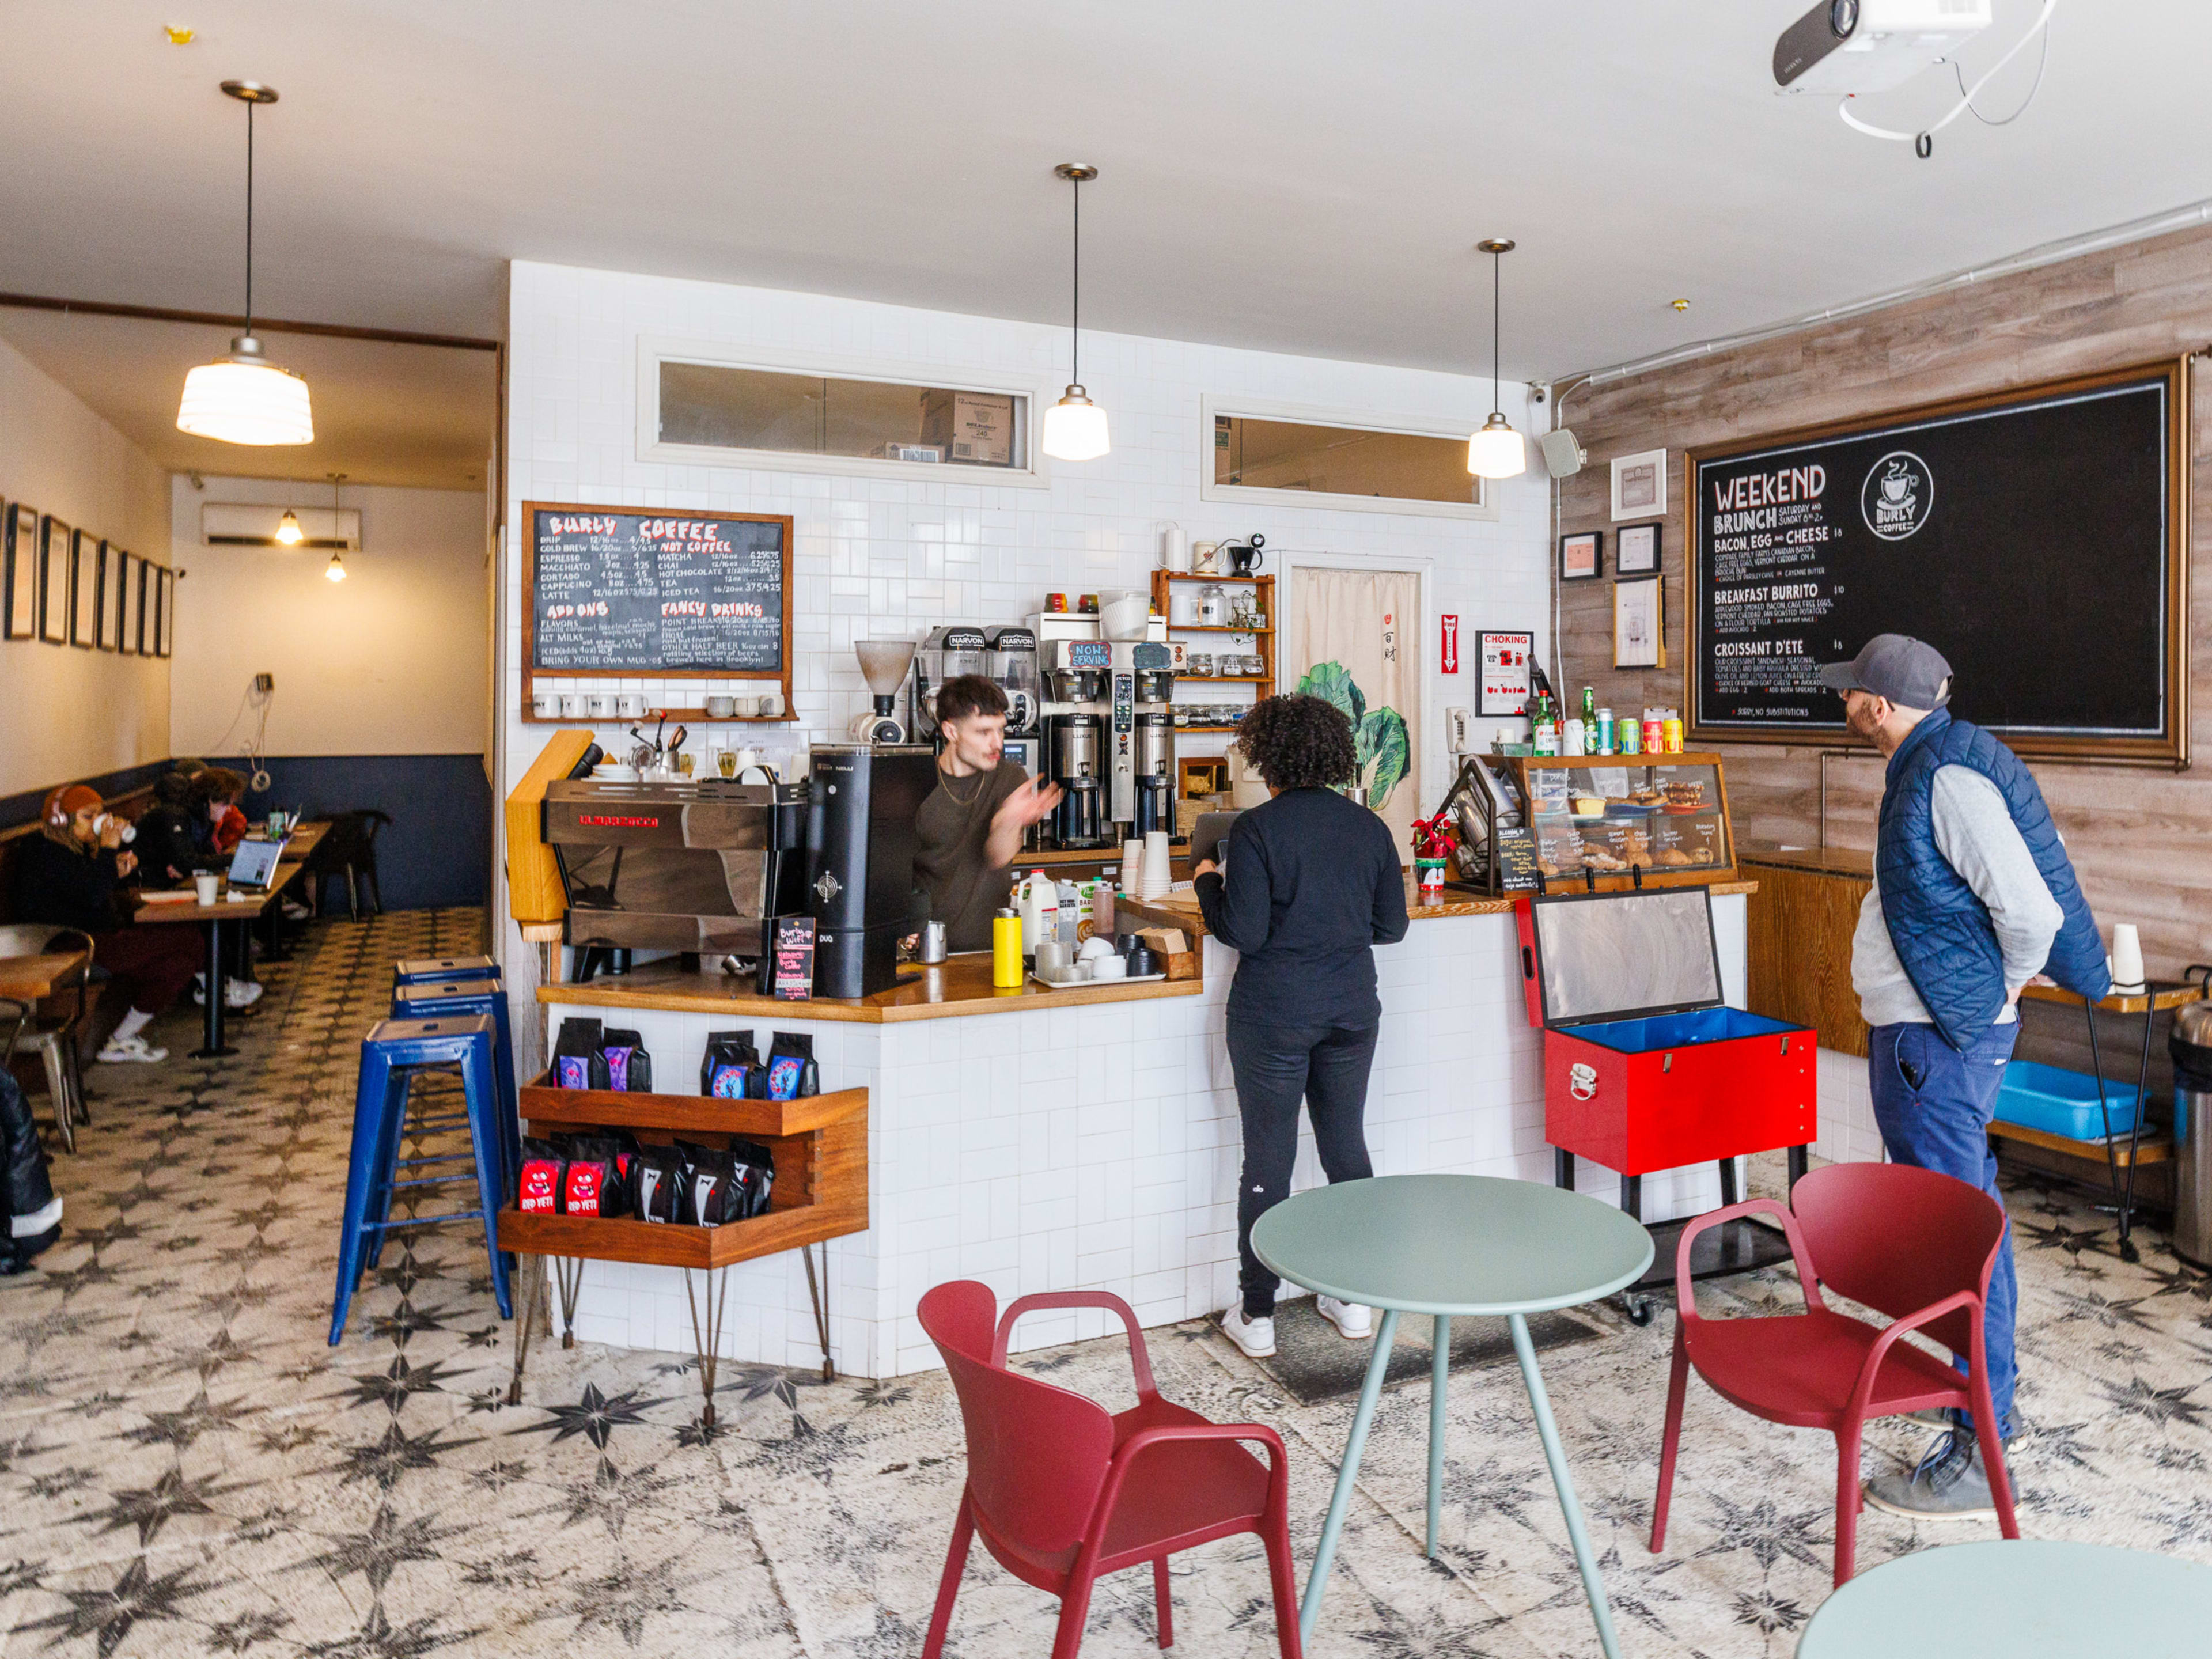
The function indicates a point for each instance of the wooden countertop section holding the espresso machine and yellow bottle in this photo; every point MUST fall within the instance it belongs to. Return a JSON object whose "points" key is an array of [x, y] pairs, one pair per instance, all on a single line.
{"points": [[957, 988]]}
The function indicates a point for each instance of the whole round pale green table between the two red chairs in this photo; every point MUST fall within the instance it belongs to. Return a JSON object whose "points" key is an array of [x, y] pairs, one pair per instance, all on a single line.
{"points": [[1443, 1246]]}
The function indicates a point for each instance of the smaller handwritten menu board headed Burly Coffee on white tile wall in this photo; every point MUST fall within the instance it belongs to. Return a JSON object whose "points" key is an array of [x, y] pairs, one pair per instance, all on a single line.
{"points": [[656, 594]]}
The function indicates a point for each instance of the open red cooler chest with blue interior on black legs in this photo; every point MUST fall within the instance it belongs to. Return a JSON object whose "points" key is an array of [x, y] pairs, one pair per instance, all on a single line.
{"points": [[1645, 1067]]}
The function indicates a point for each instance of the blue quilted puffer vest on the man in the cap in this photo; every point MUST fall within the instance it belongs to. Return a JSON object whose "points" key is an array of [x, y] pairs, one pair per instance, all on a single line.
{"points": [[1939, 928]]}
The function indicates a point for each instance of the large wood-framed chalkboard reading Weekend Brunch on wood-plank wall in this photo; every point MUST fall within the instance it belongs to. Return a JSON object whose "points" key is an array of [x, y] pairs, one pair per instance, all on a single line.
{"points": [[2034, 539]]}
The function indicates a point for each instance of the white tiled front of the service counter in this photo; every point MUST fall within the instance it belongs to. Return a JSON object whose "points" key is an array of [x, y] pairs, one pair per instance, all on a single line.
{"points": [[1041, 1145]]}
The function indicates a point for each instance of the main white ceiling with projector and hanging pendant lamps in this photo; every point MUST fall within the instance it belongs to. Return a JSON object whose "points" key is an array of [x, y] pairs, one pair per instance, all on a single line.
{"points": [[1291, 174]]}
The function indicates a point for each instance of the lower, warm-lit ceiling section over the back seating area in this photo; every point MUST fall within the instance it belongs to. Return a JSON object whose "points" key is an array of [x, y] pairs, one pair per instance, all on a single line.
{"points": [[384, 415]]}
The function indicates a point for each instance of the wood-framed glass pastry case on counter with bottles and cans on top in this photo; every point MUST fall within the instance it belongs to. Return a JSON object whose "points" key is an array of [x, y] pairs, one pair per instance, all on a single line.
{"points": [[1627, 820]]}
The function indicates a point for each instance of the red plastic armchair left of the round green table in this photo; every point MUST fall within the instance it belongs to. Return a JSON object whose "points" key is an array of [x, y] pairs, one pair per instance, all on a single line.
{"points": [[1065, 1494]]}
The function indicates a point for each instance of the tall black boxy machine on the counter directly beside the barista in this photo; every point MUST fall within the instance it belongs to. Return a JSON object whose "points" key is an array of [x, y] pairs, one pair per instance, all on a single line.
{"points": [[859, 868]]}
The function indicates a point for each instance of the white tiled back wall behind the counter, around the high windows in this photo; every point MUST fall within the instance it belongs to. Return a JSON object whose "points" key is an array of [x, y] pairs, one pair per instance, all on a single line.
{"points": [[895, 559]]}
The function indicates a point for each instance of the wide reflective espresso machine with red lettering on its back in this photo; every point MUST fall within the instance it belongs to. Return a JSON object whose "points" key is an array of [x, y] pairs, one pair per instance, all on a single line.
{"points": [[682, 866]]}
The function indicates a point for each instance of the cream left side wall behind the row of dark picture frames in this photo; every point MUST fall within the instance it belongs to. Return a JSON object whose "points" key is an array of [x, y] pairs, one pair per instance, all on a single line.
{"points": [[72, 713]]}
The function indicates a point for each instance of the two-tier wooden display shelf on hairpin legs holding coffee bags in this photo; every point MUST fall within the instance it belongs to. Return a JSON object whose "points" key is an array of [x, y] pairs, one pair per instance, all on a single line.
{"points": [[820, 1149]]}
